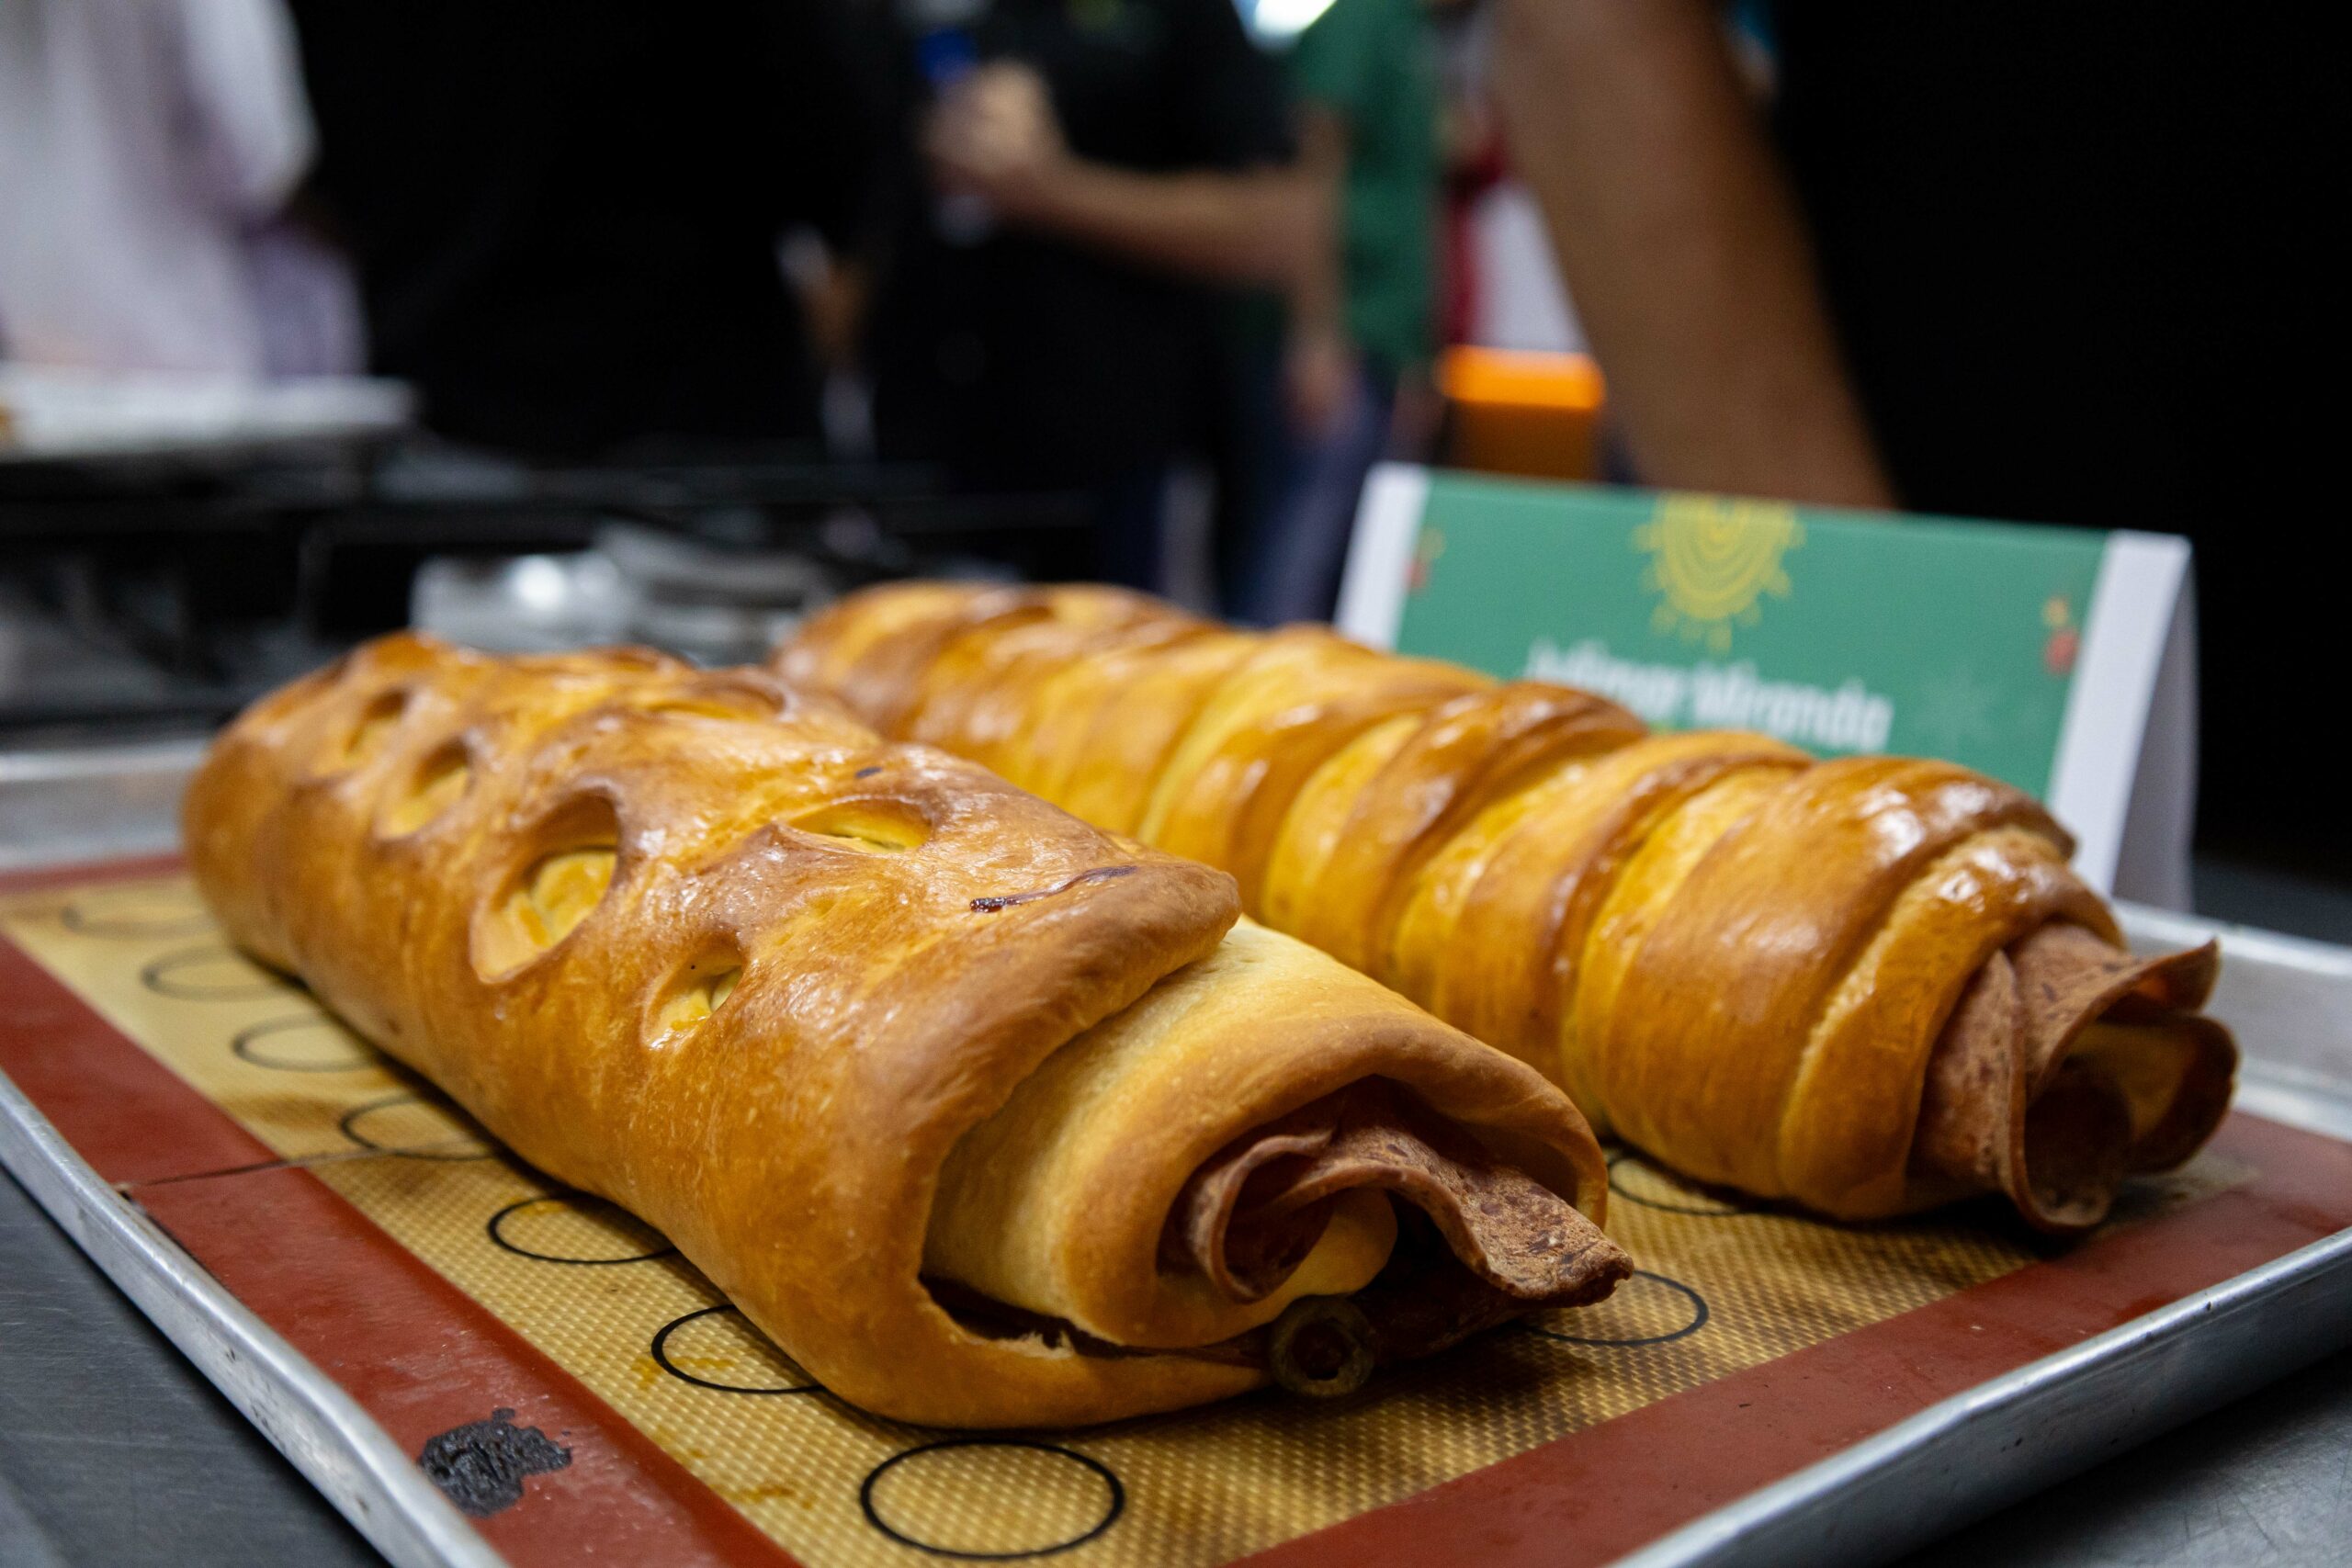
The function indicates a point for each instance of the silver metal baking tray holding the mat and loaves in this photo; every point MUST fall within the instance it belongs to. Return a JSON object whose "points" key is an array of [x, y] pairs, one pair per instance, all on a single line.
{"points": [[1897, 1489]]}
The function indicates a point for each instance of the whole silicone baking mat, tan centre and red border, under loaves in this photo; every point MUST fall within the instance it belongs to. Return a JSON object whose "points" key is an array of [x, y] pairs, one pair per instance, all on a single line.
{"points": [[479, 1311]]}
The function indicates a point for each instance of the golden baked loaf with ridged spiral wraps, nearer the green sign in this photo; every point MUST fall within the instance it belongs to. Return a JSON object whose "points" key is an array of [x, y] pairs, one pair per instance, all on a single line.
{"points": [[1866, 986]]}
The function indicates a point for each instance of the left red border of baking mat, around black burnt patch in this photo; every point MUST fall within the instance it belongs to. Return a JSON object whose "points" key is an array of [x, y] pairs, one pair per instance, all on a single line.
{"points": [[415, 1351]]}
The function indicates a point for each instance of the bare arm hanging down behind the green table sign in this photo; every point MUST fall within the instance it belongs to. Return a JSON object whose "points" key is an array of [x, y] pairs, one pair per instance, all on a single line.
{"points": [[1683, 250]]}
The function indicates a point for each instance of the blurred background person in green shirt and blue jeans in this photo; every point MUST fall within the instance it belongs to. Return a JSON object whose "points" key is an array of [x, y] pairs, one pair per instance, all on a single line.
{"points": [[1361, 321]]}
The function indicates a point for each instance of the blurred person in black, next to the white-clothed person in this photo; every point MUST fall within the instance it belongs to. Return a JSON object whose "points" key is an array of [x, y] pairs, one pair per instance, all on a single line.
{"points": [[568, 213]]}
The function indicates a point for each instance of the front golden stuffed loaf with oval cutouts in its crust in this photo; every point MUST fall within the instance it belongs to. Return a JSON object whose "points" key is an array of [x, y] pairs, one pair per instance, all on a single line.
{"points": [[989, 1118]]}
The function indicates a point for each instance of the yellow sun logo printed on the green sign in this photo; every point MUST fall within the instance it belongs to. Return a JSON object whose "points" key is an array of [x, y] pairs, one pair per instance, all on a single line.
{"points": [[1711, 561]]}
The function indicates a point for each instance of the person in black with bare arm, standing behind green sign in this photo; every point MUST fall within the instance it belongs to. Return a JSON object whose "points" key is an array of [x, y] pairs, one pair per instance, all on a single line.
{"points": [[1984, 257]]}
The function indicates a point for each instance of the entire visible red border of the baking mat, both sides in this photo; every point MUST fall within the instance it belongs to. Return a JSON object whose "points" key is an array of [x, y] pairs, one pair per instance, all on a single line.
{"points": [[422, 1358]]}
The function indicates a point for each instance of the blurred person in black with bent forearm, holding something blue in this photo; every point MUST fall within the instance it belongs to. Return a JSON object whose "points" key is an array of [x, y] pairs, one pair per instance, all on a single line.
{"points": [[1083, 175]]}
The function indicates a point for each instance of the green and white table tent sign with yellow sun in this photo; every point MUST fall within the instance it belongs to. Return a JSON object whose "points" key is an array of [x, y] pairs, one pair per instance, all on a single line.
{"points": [[2057, 659]]}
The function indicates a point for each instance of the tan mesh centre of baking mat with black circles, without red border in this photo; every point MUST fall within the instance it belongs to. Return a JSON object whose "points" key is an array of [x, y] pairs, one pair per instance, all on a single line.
{"points": [[1720, 1289]]}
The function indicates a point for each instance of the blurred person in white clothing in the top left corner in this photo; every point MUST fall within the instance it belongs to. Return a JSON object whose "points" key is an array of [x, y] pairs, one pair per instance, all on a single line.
{"points": [[149, 159]]}
